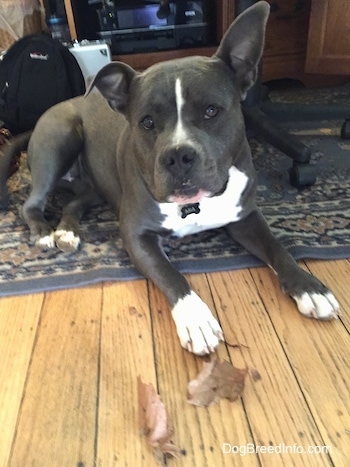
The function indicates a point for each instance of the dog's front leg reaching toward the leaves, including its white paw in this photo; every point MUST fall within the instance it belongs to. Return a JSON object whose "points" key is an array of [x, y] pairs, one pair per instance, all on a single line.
{"points": [[198, 330]]}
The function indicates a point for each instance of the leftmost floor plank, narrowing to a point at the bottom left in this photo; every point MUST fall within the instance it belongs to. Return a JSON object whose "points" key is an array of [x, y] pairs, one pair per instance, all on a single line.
{"points": [[19, 317]]}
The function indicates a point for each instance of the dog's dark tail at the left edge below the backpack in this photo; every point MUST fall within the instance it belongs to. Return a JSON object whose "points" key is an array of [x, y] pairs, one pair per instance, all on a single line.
{"points": [[8, 151]]}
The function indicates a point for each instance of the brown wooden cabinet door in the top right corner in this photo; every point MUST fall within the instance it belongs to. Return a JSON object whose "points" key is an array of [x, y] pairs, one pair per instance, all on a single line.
{"points": [[328, 50]]}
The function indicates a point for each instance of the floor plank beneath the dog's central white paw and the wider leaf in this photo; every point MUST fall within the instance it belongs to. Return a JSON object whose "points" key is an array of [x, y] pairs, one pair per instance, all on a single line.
{"points": [[199, 432]]}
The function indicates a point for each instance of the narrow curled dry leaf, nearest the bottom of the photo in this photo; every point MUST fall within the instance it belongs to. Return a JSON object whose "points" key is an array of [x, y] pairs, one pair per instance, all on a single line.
{"points": [[154, 421]]}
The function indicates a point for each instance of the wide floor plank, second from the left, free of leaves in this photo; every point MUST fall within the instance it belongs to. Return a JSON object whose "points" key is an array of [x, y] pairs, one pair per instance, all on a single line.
{"points": [[57, 420]]}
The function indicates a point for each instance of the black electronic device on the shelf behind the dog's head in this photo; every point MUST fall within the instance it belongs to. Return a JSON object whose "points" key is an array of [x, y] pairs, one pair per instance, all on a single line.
{"points": [[144, 26]]}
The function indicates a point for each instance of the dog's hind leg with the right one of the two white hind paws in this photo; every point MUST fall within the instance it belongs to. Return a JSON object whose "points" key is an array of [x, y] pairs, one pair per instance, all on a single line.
{"points": [[66, 236]]}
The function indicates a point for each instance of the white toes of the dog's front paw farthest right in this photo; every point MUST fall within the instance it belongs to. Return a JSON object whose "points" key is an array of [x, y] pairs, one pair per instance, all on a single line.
{"points": [[318, 305]]}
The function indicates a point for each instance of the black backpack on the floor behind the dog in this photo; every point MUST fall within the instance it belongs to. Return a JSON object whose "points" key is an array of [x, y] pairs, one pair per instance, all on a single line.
{"points": [[36, 73]]}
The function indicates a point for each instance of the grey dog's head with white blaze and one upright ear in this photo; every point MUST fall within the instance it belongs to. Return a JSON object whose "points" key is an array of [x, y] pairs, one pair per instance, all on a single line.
{"points": [[185, 118]]}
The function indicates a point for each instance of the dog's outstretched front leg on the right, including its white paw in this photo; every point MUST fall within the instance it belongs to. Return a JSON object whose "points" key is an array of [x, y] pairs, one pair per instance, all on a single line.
{"points": [[313, 298]]}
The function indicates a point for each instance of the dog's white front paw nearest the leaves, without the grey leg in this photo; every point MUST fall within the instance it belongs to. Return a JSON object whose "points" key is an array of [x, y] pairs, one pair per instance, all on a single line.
{"points": [[198, 330]]}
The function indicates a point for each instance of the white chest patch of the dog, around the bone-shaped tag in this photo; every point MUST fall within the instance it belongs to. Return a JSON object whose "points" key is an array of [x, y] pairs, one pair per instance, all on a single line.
{"points": [[214, 212]]}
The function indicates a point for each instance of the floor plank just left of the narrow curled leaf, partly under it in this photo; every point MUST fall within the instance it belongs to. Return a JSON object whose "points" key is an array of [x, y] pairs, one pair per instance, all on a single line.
{"points": [[126, 353]]}
